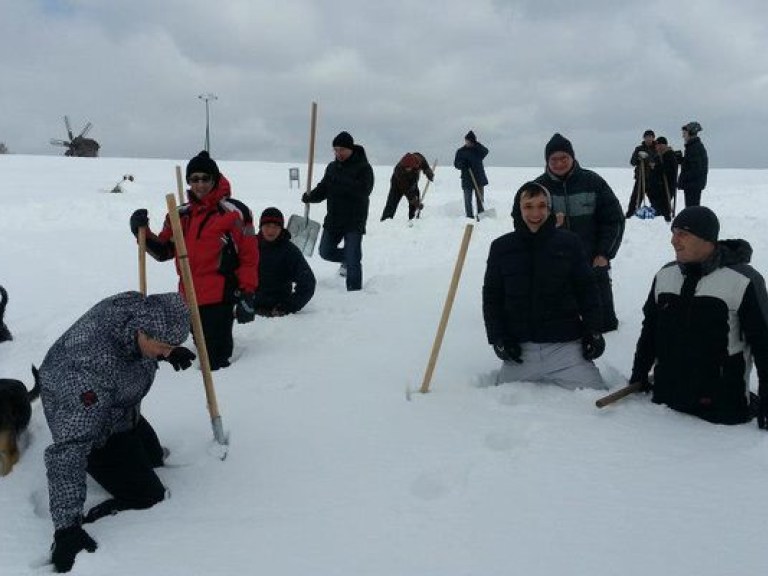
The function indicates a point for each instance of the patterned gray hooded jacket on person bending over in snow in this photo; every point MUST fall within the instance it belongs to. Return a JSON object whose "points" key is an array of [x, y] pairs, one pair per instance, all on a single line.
{"points": [[92, 382]]}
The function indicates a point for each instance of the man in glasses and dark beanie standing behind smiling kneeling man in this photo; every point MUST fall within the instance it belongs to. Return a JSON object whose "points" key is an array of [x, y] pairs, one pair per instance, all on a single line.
{"points": [[585, 204]]}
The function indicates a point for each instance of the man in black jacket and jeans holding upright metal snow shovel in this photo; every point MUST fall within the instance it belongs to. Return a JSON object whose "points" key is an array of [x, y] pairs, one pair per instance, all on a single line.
{"points": [[347, 185]]}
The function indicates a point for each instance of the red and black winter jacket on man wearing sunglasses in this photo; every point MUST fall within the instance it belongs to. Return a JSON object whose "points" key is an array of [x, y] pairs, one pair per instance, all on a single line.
{"points": [[221, 245]]}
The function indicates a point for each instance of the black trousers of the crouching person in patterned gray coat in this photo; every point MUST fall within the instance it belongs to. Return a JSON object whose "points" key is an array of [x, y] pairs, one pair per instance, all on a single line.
{"points": [[124, 467]]}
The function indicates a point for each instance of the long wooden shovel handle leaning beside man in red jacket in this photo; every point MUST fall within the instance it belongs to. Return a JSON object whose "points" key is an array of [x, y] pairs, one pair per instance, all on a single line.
{"points": [[197, 326]]}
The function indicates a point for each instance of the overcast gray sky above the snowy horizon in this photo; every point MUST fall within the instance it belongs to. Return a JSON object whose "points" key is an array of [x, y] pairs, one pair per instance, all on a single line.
{"points": [[399, 75]]}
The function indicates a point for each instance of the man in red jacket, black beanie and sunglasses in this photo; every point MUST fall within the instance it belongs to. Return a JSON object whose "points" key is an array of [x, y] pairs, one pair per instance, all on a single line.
{"points": [[222, 249]]}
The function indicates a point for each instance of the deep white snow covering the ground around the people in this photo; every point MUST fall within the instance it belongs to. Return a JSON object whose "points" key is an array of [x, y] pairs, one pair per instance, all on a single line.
{"points": [[331, 470]]}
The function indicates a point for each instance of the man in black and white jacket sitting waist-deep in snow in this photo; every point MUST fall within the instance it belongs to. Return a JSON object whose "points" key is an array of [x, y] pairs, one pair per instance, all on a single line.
{"points": [[705, 320]]}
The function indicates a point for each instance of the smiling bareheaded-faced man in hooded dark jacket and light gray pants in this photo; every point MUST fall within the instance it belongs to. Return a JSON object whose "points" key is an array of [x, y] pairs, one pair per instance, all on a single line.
{"points": [[540, 303]]}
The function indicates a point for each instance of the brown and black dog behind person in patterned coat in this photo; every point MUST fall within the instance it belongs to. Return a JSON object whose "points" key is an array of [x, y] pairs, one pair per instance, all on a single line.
{"points": [[15, 413]]}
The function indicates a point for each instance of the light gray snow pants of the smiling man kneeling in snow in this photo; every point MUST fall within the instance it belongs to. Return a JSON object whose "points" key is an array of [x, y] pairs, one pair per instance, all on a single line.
{"points": [[559, 363]]}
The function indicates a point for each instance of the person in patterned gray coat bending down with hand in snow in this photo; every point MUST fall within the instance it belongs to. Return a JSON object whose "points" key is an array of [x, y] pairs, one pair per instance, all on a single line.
{"points": [[92, 382]]}
